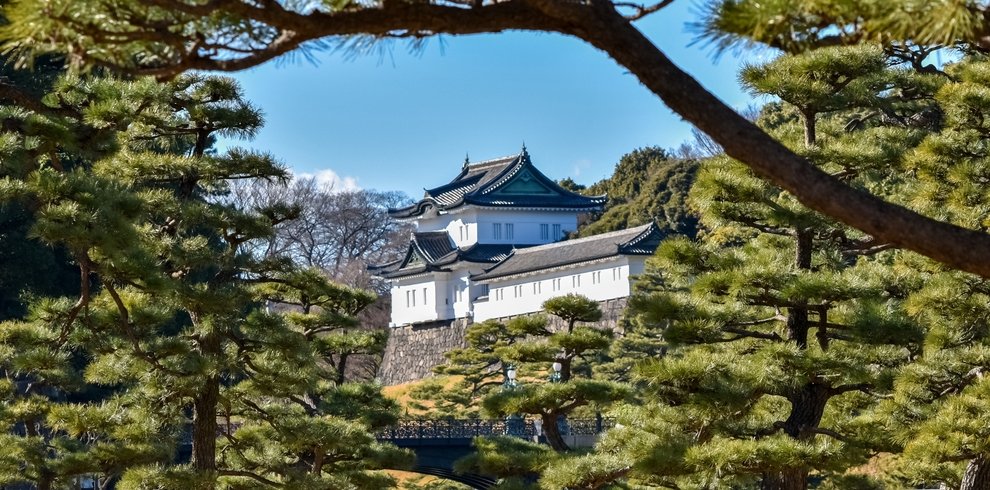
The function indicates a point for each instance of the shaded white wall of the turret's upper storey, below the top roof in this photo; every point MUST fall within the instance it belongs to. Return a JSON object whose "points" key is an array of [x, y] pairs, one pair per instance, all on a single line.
{"points": [[526, 225]]}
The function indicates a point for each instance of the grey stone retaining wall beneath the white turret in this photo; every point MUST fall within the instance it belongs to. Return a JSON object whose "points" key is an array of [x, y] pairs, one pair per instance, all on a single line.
{"points": [[414, 350]]}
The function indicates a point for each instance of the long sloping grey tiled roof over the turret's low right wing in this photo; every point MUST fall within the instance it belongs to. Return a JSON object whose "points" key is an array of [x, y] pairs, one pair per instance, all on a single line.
{"points": [[642, 240]]}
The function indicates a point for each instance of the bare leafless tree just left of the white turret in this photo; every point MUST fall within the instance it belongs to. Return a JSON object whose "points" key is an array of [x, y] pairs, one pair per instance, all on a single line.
{"points": [[340, 233]]}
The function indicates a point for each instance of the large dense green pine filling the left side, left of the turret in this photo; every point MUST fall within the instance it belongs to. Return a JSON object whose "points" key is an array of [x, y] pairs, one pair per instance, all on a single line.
{"points": [[171, 317]]}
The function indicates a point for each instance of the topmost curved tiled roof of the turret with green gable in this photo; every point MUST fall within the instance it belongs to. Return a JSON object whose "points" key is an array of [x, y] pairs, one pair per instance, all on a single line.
{"points": [[490, 183]]}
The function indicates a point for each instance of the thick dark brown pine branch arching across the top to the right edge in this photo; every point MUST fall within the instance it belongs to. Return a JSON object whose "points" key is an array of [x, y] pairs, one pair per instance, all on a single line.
{"points": [[601, 25]]}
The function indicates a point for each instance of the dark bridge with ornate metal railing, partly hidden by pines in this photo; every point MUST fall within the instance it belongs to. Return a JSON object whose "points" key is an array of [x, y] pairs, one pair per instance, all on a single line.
{"points": [[439, 443]]}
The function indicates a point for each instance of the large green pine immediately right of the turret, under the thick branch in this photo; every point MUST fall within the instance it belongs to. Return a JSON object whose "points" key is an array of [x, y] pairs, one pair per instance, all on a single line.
{"points": [[782, 325]]}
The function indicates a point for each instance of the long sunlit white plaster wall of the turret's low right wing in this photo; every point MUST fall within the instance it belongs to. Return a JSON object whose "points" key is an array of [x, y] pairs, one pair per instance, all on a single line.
{"points": [[520, 295]]}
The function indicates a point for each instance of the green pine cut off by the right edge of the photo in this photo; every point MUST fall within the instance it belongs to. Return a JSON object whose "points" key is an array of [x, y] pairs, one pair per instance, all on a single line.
{"points": [[939, 408]]}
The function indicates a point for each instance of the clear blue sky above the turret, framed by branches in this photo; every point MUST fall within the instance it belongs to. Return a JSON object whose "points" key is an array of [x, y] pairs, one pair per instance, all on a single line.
{"points": [[404, 121]]}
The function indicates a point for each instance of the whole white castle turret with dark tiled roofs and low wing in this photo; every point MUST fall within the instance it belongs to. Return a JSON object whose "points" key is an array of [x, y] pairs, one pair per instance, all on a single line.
{"points": [[487, 245]]}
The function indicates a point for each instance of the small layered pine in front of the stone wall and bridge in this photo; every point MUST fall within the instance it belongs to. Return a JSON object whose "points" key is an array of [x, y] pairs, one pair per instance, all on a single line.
{"points": [[532, 346]]}
